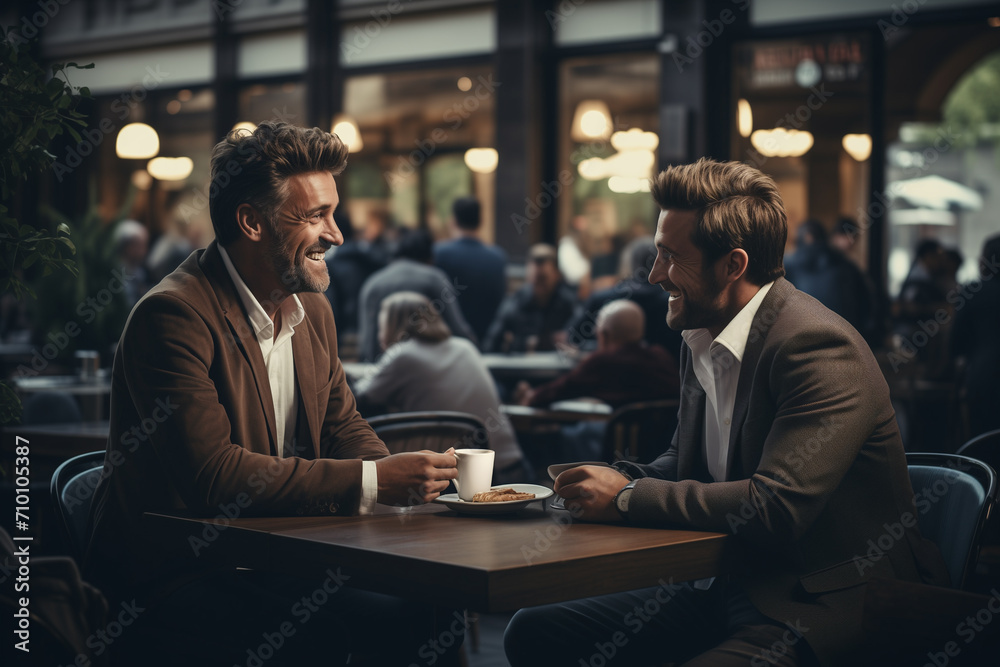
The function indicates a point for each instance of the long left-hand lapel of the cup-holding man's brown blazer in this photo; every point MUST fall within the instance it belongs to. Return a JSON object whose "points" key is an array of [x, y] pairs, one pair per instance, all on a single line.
{"points": [[242, 333]]}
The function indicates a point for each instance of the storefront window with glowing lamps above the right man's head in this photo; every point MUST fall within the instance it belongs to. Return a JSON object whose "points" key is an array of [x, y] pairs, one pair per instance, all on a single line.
{"points": [[801, 111]]}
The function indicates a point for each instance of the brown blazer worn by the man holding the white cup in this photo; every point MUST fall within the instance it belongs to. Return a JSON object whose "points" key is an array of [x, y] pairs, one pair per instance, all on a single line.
{"points": [[193, 428]]}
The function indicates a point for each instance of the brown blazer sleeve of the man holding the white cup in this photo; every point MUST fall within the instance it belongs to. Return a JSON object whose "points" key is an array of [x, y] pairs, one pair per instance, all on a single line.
{"points": [[171, 356]]}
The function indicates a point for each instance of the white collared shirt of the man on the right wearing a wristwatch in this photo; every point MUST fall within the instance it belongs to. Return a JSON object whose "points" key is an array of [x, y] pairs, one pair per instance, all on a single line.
{"points": [[717, 366]]}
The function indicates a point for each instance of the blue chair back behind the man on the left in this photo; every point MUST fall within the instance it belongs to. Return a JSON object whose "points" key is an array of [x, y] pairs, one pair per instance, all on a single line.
{"points": [[72, 489]]}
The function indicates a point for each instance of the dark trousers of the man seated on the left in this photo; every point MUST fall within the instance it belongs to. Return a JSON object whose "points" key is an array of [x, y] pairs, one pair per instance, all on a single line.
{"points": [[259, 619]]}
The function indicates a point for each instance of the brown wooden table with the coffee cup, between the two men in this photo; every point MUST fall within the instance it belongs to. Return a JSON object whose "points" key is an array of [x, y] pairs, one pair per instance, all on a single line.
{"points": [[488, 564]]}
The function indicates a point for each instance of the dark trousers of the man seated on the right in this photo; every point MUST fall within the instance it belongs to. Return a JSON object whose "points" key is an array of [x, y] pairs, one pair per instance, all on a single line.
{"points": [[672, 623]]}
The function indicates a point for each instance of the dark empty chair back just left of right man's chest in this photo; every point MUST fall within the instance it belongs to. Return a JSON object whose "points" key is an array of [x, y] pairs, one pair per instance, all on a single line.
{"points": [[641, 431]]}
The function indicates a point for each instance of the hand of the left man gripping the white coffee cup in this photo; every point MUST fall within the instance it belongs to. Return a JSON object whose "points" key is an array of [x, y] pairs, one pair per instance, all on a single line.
{"points": [[410, 478]]}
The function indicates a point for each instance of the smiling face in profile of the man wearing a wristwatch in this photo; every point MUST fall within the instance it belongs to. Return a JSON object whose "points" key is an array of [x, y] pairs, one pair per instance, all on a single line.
{"points": [[697, 297]]}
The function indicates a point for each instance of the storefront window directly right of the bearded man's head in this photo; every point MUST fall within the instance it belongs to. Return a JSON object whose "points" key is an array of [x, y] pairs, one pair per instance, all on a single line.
{"points": [[426, 138]]}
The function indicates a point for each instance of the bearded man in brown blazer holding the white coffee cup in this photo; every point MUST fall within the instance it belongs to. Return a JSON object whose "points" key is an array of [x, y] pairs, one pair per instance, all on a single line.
{"points": [[228, 400]]}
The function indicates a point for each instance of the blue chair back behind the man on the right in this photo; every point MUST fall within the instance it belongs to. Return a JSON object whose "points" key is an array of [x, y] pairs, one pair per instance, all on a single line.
{"points": [[955, 495]]}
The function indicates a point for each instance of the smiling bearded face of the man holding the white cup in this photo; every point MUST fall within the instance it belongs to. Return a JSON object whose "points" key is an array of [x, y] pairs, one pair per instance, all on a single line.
{"points": [[303, 231]]}
